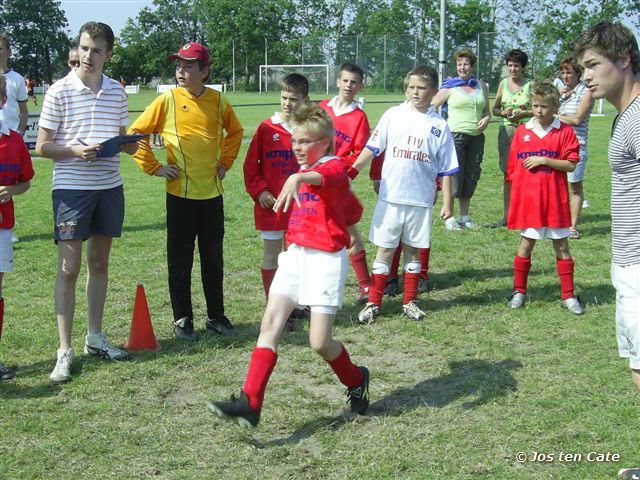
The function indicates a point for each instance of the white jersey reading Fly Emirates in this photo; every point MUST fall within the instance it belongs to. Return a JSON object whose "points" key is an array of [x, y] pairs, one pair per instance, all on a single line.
{"points": [[418, 148]]}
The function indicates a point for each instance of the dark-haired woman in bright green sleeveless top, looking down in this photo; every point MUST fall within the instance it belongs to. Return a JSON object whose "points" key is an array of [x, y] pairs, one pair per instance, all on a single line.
{"points": [[513, 104]]}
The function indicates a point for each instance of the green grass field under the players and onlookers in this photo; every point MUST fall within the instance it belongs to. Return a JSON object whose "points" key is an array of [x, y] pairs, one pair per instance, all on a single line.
{"points": [[457, 395]]}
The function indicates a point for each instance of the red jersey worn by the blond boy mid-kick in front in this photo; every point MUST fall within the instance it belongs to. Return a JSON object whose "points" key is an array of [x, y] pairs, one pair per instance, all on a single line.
{"points": [[320, 222]]}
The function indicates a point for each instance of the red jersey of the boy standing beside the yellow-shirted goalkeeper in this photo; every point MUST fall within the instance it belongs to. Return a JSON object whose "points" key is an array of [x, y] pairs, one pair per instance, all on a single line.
{"points": [[268, 164]]}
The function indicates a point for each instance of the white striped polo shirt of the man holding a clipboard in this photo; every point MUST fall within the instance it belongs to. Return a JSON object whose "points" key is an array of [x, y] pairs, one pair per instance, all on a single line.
{"points": [[76, 114]]}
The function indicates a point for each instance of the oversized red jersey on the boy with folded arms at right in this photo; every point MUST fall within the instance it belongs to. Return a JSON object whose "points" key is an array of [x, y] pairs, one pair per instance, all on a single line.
{"points": [[540, 197]]}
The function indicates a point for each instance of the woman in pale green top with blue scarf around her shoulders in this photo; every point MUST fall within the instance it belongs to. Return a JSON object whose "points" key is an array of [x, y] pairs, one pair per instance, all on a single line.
{"points": [[469, 115]]}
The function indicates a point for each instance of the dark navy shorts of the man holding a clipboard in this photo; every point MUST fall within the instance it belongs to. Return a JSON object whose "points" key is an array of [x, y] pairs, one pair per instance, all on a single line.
{"points": [[79, 214]]}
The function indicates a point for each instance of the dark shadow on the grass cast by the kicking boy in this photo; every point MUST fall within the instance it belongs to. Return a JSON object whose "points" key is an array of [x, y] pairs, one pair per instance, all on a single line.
{"points": [[481, 380]]}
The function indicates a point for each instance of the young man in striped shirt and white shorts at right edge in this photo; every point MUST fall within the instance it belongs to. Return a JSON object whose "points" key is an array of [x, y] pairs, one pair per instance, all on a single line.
{"points": [[611, 58]]}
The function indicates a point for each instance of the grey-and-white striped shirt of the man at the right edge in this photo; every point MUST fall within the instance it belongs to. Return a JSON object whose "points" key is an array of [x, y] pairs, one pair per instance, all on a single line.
{"points": [[624, 159]]}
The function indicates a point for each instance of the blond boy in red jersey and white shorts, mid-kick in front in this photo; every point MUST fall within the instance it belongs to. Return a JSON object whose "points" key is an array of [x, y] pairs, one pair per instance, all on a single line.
{"points": [[311, 272]]}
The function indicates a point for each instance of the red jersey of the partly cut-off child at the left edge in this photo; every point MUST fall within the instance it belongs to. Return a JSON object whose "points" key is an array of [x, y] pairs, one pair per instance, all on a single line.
{"points": [[15, 167]]}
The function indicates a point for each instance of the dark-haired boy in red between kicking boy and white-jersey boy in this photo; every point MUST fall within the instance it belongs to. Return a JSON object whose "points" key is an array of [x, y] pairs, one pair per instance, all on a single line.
{"points": [[352, 131]]}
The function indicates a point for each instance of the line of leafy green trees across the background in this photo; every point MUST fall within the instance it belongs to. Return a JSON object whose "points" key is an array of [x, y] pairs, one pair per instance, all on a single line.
{"points": [[238, 33]]}
